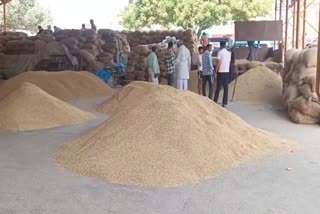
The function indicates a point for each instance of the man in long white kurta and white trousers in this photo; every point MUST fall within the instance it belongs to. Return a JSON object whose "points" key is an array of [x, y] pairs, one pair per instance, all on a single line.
{"points": [[183, 66]]}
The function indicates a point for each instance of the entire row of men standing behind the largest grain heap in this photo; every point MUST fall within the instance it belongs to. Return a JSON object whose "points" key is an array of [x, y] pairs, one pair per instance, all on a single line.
{"points": [[179, 64]]}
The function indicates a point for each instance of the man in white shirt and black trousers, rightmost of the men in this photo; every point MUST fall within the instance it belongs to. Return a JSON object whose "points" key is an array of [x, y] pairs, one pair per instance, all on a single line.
{"points": [[223, 69]]}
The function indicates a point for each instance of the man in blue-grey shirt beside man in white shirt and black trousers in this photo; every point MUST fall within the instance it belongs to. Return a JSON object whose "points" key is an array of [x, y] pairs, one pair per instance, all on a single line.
{"points": [[207, 71]]}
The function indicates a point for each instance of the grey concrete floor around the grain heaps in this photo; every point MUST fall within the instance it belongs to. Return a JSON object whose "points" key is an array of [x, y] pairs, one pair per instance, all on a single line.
{"points": [[32, 183]]}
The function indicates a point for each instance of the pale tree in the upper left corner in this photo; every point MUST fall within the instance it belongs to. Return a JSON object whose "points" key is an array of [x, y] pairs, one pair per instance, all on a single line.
{"points": [[26, 15]]}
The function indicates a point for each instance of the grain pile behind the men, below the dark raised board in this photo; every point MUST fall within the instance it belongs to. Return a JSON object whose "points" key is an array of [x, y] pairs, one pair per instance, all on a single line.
{"points": [[259, 85]]}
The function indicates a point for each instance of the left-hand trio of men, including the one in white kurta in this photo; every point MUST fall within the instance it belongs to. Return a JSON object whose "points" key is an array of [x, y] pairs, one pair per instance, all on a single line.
{"points": [[178, 64]]}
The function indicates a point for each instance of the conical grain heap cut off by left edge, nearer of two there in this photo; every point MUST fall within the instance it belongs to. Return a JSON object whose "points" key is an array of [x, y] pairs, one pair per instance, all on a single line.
{"points": [[30, 108]]}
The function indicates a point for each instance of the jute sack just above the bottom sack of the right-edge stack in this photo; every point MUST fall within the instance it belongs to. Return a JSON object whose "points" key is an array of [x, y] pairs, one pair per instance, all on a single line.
{"points": [[311, 109]]}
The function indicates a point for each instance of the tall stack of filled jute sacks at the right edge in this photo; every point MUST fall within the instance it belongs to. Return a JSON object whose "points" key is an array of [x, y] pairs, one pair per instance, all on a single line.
{"points": [[299, 91]]}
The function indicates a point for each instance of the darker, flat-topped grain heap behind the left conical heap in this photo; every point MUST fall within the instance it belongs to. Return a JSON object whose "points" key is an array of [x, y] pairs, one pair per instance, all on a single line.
{"points": [[67, 85]]}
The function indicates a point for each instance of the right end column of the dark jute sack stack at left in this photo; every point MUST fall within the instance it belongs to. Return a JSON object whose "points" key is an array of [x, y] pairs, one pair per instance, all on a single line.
{"points": [[113, 45]]}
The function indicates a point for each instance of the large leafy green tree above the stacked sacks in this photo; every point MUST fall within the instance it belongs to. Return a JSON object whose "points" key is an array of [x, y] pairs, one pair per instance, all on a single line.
{"points": [[195, 14]]}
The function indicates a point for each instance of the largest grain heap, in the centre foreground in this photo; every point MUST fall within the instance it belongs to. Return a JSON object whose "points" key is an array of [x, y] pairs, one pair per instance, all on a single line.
{"points": [[183, 138]]}
